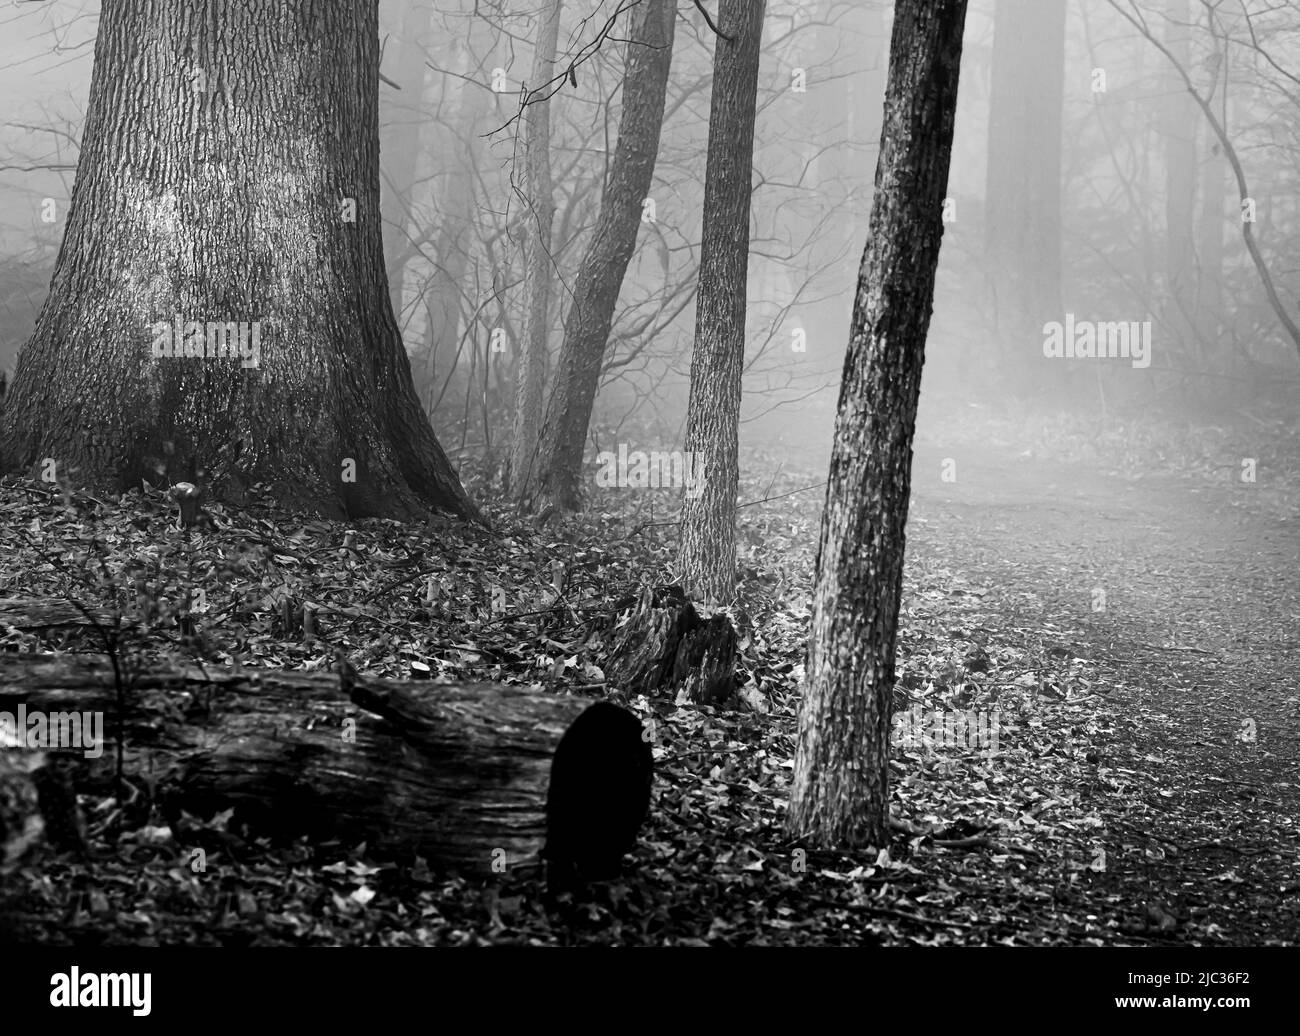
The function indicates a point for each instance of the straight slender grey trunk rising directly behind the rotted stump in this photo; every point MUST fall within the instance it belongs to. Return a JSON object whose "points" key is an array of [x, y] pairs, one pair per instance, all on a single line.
{"points": [[708, 556]]}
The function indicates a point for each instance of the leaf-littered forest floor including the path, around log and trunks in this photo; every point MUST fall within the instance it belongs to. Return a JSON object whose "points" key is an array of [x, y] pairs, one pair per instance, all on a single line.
{"points": [[1125, 609]]}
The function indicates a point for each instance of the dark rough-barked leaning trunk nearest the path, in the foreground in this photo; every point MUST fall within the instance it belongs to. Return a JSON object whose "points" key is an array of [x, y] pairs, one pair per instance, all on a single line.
{"points": [[842, 774]]}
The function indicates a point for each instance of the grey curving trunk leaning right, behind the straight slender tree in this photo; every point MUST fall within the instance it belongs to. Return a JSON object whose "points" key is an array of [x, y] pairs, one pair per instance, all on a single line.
{"points": [[578, 371]]}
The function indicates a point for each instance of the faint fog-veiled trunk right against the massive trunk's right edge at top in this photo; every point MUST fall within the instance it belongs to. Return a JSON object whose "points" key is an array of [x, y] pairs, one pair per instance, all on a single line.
{"points": [[400, 142]]}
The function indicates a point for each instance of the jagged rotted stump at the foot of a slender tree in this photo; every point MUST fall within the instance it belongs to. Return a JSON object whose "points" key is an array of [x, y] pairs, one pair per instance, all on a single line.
{"points": [[668, 645]]}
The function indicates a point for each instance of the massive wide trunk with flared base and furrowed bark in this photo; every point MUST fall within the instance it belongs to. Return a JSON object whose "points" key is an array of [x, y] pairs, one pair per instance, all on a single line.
{"points": [[220, 302]]}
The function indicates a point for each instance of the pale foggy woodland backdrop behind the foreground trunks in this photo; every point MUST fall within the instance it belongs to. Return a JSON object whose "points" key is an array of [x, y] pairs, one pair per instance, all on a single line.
{"points": [[1110, 197]]}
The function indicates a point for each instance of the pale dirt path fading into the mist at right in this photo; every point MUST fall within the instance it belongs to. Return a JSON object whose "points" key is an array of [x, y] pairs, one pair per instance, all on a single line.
{"points": [[1201, 641]]}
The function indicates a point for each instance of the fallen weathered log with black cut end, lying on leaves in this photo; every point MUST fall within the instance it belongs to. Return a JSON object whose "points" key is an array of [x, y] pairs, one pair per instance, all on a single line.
{"points": [[454, 773]]}
